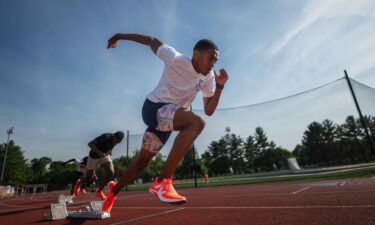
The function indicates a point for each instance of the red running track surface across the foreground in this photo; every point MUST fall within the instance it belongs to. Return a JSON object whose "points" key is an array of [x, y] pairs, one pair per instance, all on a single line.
{"points": [[339, 202]]}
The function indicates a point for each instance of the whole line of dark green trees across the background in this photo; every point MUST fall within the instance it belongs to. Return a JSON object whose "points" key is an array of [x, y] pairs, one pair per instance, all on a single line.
{"points": [[323, 144]]}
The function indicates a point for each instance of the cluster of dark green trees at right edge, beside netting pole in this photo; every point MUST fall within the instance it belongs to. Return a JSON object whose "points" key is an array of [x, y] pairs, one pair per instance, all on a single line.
{"points": [[326, 143]]}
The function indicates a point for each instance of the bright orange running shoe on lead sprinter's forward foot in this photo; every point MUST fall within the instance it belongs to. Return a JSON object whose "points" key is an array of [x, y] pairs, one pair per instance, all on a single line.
{"points": [[166, 192]]}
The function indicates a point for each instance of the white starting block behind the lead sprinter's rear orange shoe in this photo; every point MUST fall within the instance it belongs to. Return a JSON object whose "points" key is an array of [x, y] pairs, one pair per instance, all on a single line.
{"points": [[94, 211]]}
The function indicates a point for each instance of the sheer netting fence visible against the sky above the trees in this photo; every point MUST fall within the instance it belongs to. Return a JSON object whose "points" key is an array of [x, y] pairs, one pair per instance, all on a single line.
{"points": [[284, 120]]}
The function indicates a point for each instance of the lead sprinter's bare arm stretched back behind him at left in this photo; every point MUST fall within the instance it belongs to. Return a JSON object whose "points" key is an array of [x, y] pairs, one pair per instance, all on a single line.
{"points": [[154, 43]]}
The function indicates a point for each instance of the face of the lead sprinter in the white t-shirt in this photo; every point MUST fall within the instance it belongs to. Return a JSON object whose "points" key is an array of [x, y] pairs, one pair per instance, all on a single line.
{"points": [[205, 60]]}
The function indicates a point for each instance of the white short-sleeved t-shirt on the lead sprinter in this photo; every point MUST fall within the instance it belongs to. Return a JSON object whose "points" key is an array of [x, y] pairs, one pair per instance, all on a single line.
{"points": [[180, 82]]}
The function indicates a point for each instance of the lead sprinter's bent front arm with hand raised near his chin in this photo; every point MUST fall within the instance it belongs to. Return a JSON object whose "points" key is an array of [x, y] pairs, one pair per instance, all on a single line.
{"points": [[210, 103]]}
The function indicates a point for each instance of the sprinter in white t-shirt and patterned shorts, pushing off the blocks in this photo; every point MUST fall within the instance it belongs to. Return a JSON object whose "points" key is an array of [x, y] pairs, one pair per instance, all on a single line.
{"points": [[166, 109]]}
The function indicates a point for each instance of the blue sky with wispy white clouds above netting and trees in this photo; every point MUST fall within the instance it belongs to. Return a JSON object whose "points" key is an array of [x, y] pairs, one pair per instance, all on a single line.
{"points": [[60, 87]]}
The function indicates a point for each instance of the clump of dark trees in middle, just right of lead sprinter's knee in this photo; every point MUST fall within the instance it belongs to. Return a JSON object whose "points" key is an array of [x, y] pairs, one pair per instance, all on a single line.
{"points": [[253, 155]]}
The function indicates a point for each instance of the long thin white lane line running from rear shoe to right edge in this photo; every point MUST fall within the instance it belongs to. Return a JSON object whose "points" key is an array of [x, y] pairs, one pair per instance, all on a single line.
{"points": [[253, 207]]}
